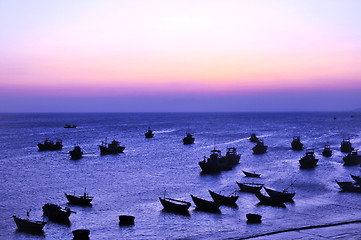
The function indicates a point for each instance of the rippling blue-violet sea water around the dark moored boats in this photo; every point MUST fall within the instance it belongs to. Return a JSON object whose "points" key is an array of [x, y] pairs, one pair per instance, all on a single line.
{"points": [[131, 183]]}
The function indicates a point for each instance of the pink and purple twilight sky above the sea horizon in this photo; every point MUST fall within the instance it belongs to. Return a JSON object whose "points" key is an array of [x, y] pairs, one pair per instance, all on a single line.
{"points": [[161, 55]]}
